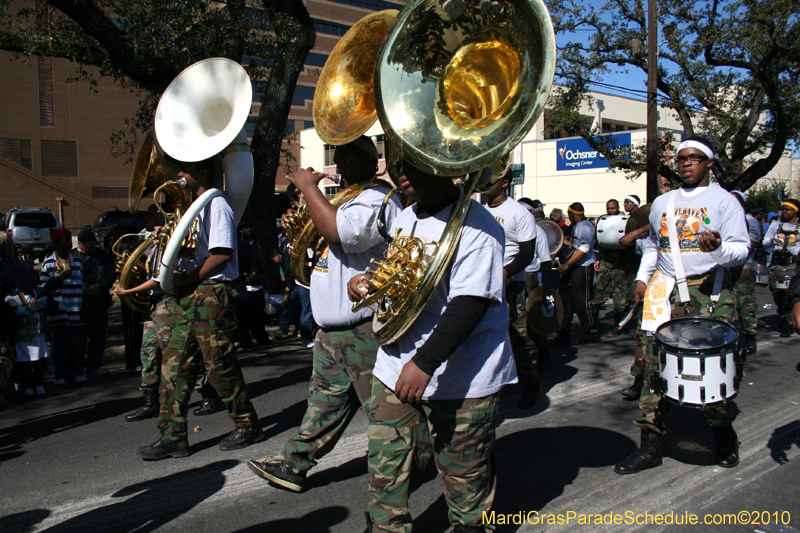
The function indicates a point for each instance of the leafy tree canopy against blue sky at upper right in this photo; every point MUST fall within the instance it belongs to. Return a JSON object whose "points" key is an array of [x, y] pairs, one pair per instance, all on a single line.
{"points": [[728, 68]]}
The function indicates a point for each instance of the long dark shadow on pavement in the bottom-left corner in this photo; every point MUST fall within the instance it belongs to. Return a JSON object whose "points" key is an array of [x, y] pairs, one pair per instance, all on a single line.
{"points": [[153, 504]]}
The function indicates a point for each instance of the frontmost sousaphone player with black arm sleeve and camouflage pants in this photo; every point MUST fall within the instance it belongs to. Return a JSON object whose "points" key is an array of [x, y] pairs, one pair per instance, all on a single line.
{"points": [[448, 367]]}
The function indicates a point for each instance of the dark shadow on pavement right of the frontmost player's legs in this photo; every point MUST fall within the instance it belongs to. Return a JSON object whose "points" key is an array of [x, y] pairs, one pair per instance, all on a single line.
{"points": [[537, 464]]}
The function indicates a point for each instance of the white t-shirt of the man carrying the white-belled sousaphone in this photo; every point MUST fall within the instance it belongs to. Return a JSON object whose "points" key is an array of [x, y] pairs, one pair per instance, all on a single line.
{"points": [[216, 228]]}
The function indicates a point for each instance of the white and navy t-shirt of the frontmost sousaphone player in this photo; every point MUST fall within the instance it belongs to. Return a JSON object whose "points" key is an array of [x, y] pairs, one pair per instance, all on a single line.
{"points": [[483, 363]]}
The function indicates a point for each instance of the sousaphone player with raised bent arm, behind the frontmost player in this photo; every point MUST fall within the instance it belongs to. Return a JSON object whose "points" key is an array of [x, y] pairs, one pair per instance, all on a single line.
{"points": [[345, 346]]}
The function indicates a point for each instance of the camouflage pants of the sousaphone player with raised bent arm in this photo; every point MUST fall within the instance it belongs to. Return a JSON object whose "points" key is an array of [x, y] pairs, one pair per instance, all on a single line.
{"points": [[341, 382]]}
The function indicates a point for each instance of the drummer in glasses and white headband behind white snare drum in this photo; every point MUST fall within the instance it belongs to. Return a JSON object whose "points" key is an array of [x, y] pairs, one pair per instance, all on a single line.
{"points": [[694, 232]]}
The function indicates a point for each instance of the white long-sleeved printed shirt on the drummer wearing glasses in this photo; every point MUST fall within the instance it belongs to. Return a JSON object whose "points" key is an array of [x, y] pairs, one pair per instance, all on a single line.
{"points": [[703, 208]]}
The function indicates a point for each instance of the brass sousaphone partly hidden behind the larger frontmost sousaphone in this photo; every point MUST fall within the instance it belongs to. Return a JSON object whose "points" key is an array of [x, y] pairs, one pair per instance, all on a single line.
{"points": [[344, 109]]}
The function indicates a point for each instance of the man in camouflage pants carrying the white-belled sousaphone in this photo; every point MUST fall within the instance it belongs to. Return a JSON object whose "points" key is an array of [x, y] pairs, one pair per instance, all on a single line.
{"points": [[203, 332]]}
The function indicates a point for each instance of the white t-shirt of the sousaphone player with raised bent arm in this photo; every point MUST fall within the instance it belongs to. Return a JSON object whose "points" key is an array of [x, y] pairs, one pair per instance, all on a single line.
{"points": [[357, 223]]}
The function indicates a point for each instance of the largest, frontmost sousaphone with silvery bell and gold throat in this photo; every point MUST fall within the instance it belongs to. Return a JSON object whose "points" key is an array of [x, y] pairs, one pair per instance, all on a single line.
{"points": [[458, 85]]}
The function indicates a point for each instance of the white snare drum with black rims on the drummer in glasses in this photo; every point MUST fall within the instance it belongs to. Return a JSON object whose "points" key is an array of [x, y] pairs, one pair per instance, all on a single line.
{"points": [[697, 360]]}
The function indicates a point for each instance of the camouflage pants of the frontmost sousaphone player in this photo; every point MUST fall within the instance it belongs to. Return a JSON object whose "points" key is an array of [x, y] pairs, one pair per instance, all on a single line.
{"points": [[463, 433]]}
